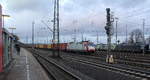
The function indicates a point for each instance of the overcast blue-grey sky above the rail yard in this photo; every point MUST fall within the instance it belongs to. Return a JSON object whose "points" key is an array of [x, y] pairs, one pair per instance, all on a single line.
{"points": [[87, 17]]}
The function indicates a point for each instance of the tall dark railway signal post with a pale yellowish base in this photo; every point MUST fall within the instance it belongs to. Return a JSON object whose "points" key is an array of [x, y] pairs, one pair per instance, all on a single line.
{"points": [[109, 32]]}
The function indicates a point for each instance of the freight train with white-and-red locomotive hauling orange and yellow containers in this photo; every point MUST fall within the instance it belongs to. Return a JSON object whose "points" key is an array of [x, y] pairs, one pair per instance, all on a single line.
{"points": [[82, 47]]}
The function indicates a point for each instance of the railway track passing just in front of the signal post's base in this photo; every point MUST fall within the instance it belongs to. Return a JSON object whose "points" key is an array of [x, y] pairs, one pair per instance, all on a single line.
{"points": [[144, 75]]}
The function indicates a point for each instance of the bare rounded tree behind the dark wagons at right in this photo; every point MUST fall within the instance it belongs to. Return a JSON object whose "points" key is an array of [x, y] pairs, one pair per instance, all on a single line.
{"points": [[136, 36]]}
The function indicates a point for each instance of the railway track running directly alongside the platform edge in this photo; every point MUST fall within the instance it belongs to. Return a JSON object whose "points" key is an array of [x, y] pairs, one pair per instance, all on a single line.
{"points": [[55, 71]]}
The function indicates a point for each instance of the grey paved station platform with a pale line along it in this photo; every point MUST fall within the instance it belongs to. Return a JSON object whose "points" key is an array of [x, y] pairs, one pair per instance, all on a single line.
{"points": [[25, 67]]}
